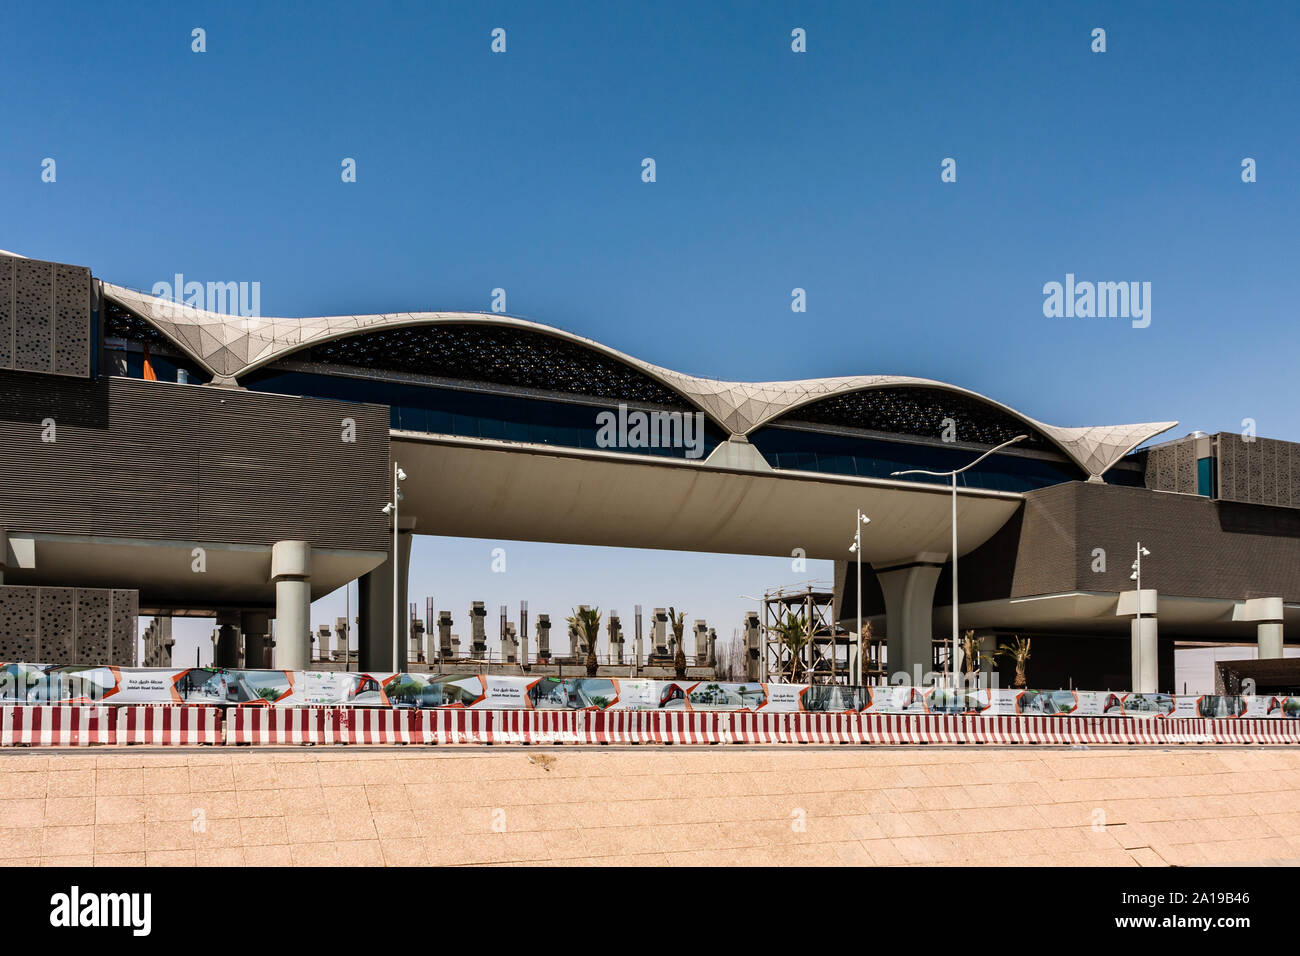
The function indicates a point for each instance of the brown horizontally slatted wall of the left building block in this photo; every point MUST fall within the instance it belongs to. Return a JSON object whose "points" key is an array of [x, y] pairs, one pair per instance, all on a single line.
{"points": [[163, 461]]}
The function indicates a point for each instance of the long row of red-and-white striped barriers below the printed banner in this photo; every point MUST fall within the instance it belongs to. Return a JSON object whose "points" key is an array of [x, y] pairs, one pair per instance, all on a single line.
{"points": [[184, 726]]}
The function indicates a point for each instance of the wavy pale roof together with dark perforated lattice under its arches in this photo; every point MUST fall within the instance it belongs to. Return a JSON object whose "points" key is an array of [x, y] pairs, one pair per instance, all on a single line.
{"points": [[508, 351]]}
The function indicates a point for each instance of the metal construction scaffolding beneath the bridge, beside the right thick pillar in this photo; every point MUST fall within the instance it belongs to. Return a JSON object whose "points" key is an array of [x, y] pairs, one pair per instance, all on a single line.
{"points": [[804, 646]]}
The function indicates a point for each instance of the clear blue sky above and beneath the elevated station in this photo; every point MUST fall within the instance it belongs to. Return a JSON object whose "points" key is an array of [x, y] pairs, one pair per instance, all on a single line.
{"points": [[820, 171]]}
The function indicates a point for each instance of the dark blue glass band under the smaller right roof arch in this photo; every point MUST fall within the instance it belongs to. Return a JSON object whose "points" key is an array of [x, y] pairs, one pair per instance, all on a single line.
{"points": [[838, 455]]}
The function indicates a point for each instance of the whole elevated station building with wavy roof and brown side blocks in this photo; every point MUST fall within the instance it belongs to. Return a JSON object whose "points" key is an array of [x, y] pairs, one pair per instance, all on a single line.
{"points": [[163, 460]]}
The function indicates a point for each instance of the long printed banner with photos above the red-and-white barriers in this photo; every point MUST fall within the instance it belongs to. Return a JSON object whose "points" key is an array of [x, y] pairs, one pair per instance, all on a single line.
{"points": [[31, 684]]}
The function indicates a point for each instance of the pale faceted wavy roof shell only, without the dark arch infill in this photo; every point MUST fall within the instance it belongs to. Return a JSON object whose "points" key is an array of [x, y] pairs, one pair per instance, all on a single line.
{"points": [[232, 347]]}
